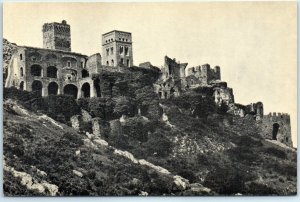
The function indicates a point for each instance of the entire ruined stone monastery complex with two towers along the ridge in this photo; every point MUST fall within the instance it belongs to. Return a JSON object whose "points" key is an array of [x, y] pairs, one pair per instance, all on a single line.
{"points": [[54, 70]]}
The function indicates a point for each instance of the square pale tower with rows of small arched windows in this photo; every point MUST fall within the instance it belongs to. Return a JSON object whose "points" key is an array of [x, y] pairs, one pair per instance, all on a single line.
{"points": [[117, 49]]}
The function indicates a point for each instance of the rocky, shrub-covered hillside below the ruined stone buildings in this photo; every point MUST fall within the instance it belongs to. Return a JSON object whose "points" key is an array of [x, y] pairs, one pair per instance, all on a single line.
{"points": [[192, 149]]}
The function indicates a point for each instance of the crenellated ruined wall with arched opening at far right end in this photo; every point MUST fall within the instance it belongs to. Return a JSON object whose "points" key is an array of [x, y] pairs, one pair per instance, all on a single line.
{"points": [[277, 126]]}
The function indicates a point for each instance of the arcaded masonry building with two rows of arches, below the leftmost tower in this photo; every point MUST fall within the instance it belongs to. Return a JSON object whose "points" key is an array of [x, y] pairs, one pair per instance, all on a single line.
{"points": [[68, 71]]}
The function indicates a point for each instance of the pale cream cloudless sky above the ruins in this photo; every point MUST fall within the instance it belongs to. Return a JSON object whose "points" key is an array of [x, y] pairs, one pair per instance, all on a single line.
{"points": [[254, 43]]}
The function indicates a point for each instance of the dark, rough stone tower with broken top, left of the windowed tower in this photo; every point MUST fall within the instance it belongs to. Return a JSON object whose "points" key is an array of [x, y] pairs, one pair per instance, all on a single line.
{"points": [[57, 36]]}
